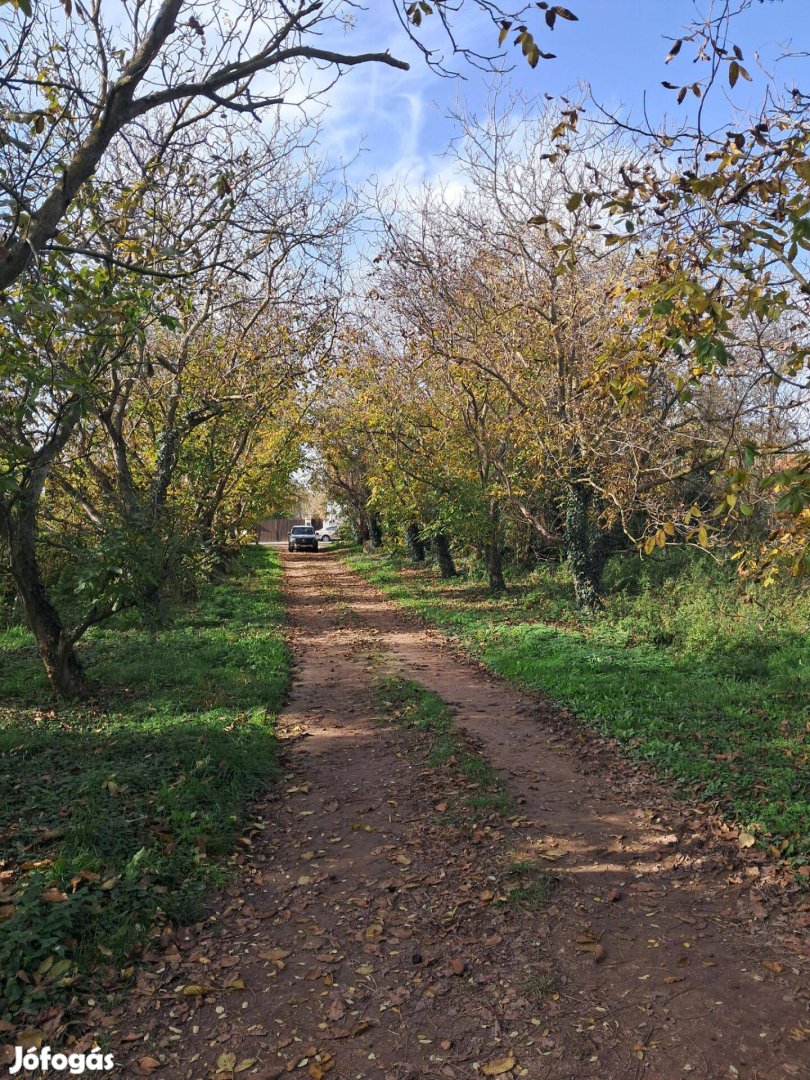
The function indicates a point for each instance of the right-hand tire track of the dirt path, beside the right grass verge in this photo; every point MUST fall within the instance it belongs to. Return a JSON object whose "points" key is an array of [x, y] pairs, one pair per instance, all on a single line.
{"points": [[683, 954]]}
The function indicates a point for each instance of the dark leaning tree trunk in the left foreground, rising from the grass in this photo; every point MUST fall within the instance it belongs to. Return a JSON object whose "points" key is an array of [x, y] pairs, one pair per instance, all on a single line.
{"points": [[56, 649]]}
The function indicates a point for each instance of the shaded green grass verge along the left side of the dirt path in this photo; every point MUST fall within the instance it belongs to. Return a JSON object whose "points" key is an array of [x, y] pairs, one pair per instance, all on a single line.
{"points": [[125, 806]]}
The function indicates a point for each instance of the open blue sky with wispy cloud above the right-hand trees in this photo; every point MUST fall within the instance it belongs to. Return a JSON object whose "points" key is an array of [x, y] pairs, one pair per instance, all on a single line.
{"points": [[398, 120]]}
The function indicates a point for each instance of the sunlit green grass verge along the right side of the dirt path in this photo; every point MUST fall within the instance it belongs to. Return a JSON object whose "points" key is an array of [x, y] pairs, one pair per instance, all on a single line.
{"points": [[704, 677]]}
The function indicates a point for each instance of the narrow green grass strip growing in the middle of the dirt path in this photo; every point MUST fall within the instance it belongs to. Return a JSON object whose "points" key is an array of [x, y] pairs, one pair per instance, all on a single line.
{"points": [[406, 703]]}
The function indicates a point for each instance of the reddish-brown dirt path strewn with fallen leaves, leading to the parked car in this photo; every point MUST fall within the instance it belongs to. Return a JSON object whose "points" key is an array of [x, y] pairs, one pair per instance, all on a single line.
{"points": [[368, 937]]}
